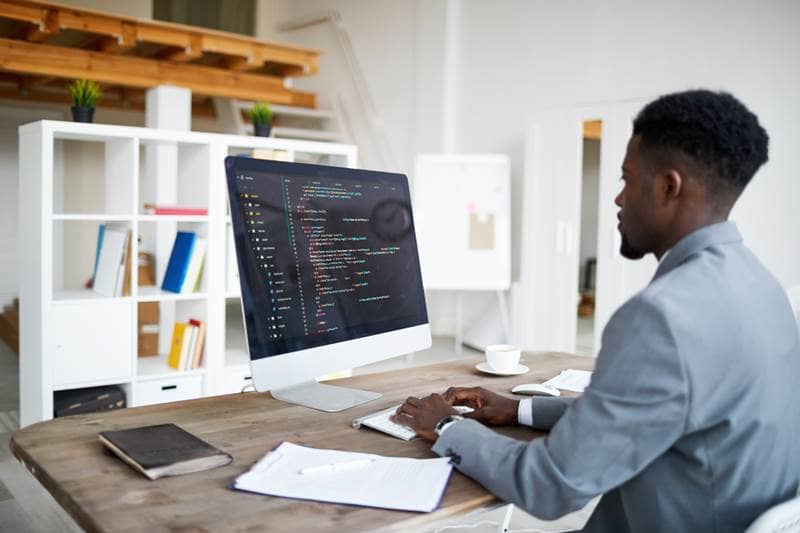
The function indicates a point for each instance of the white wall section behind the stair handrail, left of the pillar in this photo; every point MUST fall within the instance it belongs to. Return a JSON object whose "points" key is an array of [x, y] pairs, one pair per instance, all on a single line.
{"points": [[383, 35]]}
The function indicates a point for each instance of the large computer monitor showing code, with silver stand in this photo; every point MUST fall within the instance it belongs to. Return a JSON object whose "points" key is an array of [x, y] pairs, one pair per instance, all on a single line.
{"points": [[329, 273]]}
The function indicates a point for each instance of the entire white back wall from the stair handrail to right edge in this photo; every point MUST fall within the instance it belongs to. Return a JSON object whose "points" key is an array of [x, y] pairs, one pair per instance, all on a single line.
{"points": [[518, 57]]}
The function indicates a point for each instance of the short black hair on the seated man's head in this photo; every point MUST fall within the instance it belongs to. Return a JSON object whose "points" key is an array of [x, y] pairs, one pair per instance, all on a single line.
{"points": [[713, 129]]}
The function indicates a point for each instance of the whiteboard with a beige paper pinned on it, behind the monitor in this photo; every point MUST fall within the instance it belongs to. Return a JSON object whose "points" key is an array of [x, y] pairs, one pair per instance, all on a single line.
{"points": [[462, 213]]}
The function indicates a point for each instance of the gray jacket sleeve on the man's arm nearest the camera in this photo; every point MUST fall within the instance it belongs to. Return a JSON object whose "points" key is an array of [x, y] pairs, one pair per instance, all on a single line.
{"points": [[634, 409]]}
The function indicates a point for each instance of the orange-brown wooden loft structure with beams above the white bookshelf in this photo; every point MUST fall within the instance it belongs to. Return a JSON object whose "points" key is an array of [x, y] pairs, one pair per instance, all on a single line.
{"points": [[44, 43]]}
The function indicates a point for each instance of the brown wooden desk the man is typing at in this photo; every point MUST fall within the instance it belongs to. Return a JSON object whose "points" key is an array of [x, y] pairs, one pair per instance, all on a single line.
{"points": [[104, 494]]}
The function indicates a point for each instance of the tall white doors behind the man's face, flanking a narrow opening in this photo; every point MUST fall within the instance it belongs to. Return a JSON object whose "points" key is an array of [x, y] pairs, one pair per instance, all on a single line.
{"points": [[545, 305]]}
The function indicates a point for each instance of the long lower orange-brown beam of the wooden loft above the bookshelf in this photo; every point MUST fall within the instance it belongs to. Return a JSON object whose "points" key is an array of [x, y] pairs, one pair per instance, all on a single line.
{"points": [[45, 60]]}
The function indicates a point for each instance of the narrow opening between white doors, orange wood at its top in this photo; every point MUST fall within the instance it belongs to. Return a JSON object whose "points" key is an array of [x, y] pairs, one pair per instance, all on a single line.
{"points": [[587, 271]]}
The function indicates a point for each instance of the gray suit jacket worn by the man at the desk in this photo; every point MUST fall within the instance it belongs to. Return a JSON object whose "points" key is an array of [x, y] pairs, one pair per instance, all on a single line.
{"points": [[691, 420]]}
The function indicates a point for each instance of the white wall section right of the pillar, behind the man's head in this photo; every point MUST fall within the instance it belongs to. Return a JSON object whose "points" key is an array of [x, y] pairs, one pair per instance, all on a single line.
{"points": [[533, 55]]}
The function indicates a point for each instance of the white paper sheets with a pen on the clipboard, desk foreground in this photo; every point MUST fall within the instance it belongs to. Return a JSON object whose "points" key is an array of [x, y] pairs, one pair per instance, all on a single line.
{"points": [[400, 483]]}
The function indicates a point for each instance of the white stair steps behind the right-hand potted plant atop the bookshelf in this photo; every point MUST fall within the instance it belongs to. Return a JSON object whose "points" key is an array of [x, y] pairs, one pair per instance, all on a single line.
{"points": [[289, 122]]}
